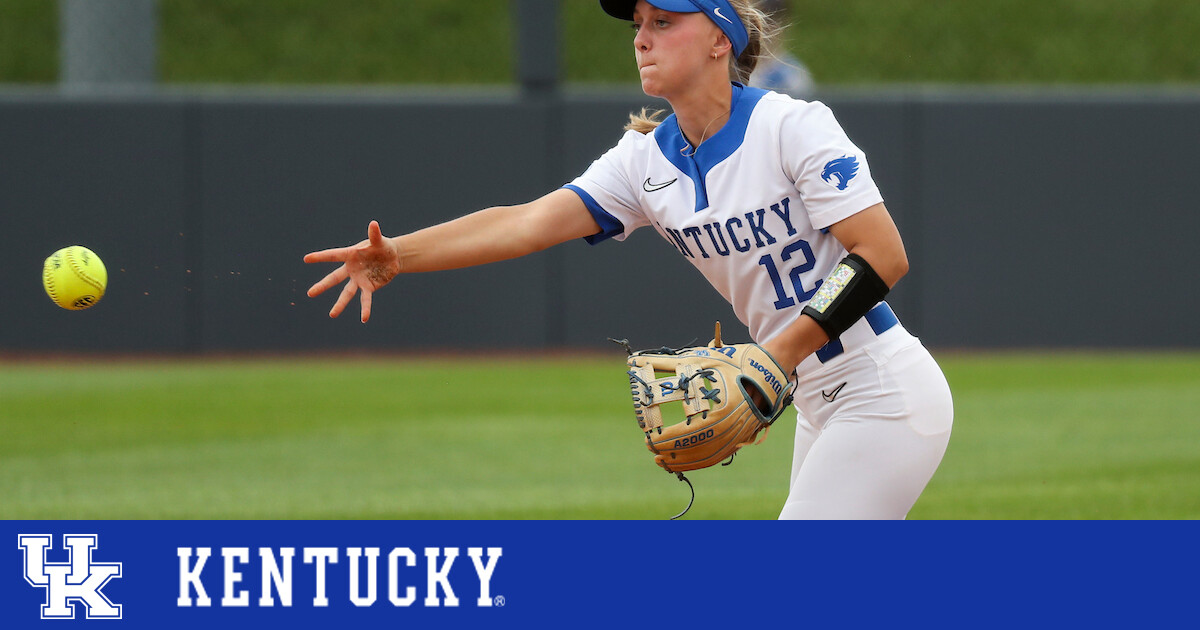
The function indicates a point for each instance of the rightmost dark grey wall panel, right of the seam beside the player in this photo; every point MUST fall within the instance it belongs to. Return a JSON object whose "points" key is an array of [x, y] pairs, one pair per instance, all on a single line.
{"points": [[1060, 224]]}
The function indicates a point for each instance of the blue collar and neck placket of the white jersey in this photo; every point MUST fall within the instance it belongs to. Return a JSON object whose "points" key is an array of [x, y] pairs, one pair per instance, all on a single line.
{"points": [[715, 151]]}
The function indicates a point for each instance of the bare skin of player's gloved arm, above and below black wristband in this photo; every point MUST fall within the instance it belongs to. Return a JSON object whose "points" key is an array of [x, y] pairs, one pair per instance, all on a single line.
{"points": [[871, 235]]}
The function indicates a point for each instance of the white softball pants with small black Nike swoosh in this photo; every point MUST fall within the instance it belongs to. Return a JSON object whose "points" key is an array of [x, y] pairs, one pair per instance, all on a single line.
{"points": [[873, 425]]}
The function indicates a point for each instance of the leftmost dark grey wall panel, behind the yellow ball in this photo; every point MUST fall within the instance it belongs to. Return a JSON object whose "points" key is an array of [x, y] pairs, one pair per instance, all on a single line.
{"points": [[110, 177]]}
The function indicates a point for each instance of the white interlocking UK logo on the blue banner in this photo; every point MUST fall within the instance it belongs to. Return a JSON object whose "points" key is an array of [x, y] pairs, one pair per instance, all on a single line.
{"points": [[77, 581]]}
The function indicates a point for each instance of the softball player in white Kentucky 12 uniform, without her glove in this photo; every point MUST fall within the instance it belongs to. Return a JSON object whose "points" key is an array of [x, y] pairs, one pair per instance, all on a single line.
{"points": [[771, 201]]}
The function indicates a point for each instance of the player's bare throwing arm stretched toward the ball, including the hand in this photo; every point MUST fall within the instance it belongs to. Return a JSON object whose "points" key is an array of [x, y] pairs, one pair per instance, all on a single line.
{"points": [[485, 237]]}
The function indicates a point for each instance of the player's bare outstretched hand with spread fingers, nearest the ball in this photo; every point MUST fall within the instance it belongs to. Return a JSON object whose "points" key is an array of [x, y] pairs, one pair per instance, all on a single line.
{"points": [[367, 267]]}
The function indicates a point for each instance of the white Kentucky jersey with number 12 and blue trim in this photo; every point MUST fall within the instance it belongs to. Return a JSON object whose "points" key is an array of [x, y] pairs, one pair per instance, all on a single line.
{"points": [[748, 208]]}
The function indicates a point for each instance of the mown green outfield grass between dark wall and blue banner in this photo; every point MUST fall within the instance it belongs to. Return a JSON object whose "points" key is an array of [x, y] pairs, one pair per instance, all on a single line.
{"points": [[1065, 437]]}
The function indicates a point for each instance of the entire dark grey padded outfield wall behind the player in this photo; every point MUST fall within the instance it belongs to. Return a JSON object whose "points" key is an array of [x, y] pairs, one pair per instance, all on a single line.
{"points": [[1034, 219]]}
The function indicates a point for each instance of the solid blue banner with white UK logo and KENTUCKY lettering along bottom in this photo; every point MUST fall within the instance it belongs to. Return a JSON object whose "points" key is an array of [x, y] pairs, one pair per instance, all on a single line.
{"points": [[535, 574]]}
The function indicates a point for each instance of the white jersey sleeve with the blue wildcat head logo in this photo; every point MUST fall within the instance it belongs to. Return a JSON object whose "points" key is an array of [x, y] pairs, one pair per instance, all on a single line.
{"points": [[831, 172]]}
